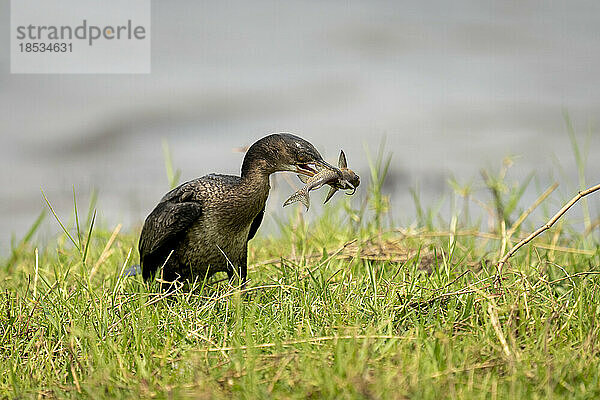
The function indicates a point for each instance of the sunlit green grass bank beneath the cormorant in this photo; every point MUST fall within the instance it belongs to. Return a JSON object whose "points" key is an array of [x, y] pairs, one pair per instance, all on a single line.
{"points": [[350, 306]]}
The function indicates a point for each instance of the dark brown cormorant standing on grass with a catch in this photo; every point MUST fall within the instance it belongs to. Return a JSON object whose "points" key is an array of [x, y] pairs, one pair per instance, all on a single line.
{"points": [[203, 226]]}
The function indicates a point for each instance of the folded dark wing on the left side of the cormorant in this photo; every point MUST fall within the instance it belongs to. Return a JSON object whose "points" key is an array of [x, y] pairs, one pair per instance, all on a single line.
{"points": [[163, 227]]}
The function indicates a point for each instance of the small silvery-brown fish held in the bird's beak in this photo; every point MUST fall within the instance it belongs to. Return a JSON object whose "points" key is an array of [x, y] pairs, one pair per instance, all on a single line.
{"points": [[348, 180]]}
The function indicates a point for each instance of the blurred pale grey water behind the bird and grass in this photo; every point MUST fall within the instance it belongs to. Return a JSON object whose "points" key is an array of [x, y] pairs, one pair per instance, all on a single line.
{"points": [[452, 86]]}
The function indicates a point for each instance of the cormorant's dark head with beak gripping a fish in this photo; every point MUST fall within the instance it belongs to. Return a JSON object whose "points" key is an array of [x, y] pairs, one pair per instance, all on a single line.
{"points": [[285, 152]]}
